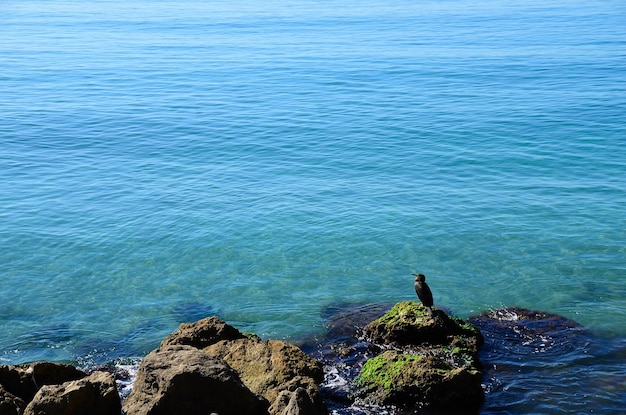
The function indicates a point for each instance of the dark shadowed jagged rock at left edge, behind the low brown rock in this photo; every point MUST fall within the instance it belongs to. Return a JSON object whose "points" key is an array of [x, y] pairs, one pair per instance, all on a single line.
{"points": [[25, 380]]}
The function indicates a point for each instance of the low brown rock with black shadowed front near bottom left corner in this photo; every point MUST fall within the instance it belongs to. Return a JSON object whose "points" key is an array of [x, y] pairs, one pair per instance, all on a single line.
{"points": [[93, 395]]}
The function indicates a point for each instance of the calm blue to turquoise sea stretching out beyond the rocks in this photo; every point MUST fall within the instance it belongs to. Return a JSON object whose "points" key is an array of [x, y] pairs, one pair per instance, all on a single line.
{"points": [[164, 161]]}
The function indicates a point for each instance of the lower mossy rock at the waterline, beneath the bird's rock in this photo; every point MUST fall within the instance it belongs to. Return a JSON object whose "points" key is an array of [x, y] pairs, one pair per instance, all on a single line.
{"points": [[395, 378]]}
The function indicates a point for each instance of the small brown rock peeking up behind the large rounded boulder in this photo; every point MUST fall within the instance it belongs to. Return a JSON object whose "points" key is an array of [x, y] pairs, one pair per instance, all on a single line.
{"points": [[202, 333]]}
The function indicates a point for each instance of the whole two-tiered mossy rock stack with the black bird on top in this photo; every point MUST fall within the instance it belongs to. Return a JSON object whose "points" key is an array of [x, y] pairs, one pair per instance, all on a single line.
{"points": [[434, 360]]}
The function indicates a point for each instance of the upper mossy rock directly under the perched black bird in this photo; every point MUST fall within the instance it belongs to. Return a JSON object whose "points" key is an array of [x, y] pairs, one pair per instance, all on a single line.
{"points": [[408, 323]]}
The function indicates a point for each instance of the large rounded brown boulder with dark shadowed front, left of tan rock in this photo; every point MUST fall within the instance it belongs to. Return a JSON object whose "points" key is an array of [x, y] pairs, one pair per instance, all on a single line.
{"points": [[181, 379]]}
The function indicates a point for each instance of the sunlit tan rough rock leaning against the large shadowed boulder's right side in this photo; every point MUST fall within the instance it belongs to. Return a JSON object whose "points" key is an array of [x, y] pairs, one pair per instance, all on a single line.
{"points": [[275, 370]]}
